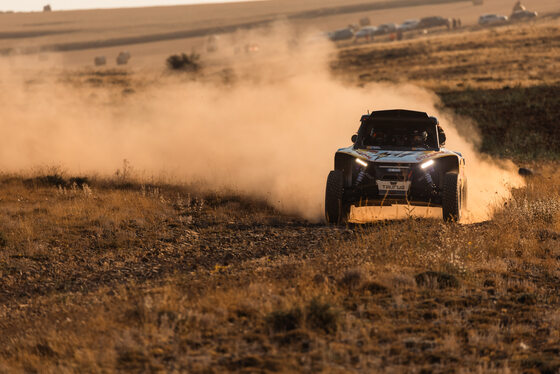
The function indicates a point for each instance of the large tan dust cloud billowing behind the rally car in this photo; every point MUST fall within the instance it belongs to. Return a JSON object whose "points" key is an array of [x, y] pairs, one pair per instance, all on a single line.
{"points": [[270, 132]]}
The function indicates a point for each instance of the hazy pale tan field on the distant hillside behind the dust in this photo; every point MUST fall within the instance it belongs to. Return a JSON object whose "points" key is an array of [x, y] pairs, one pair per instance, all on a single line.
{"points": [[74, 38]]}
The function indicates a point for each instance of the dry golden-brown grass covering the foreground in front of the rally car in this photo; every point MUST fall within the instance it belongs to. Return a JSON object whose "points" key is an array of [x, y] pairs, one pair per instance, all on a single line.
{"points": [[355, 298]]}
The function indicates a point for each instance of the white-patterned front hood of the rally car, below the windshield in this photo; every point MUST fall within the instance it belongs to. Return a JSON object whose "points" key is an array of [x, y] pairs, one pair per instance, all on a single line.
{"points": [[388, 156]]}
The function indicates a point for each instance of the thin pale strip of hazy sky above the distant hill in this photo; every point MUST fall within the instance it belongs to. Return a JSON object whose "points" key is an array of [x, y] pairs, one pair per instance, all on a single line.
{"points": [[37, 5]]}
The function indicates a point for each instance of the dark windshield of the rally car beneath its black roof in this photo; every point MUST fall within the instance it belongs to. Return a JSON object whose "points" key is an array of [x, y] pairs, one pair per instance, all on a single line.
{"points": [[399, 136]]}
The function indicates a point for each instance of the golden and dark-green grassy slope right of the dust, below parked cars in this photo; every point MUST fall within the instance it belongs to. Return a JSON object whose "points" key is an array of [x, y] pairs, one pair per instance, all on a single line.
{"points": [[506, 79]]}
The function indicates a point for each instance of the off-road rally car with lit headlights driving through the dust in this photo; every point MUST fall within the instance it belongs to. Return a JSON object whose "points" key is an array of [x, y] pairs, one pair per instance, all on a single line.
{"points": [[398, 157]]}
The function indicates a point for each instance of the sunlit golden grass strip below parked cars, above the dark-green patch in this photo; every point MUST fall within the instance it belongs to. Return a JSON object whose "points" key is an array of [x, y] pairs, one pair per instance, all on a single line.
{"points": [[508, 56]]}
